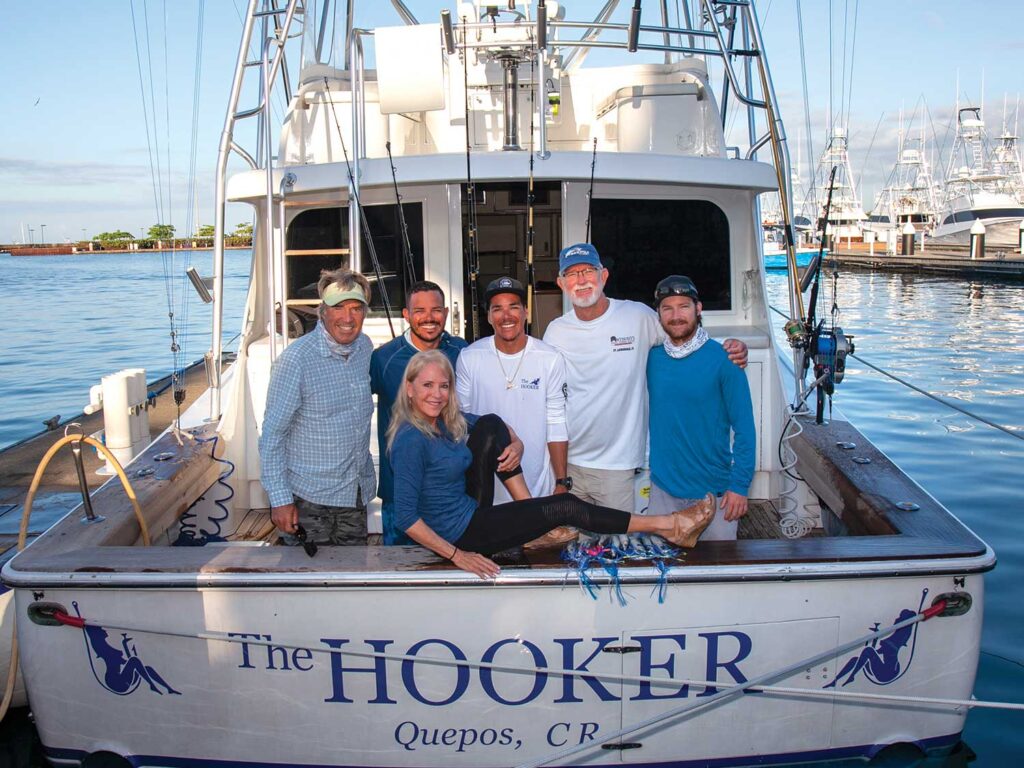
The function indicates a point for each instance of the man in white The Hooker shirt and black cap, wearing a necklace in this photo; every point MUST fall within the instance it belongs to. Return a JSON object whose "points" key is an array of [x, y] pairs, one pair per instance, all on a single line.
{"points": [[523, 380]]}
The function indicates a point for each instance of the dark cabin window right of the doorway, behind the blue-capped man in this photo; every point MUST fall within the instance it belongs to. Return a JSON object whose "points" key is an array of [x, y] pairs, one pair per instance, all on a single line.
{"points": [[643, 241]]}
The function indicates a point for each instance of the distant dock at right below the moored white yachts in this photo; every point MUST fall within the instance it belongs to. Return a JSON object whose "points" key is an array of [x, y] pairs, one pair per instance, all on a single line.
{"points": [[950, 261]]}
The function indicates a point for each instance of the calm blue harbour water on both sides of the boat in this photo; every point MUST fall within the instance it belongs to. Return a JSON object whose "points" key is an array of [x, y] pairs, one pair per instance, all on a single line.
{"points": [[963, 340]]}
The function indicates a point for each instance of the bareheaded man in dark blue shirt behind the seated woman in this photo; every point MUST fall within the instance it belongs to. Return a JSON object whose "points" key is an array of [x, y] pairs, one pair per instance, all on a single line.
{"points": [[426, 315]]}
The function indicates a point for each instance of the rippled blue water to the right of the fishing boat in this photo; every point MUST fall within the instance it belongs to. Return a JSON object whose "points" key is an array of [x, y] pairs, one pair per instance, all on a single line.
{"points": [[961, 340]]}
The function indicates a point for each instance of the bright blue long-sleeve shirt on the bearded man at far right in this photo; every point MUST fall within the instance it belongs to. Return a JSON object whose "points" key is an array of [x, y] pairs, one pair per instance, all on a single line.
{"points": [[695, 403]]}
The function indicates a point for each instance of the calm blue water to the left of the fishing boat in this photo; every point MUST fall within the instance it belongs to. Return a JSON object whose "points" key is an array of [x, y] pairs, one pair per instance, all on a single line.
{"points": [[72, 320]]}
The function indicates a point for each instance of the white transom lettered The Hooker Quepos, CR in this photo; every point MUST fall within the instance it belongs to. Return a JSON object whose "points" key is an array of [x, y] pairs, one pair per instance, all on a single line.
{"points": [[297, 704]]}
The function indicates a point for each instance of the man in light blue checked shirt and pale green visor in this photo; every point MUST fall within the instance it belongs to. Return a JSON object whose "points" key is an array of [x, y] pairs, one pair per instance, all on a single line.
{"points": [[315, 448]]}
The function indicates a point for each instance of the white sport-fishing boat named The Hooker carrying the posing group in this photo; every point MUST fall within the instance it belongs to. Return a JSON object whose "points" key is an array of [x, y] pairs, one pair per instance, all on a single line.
{"points": [[846, 624]]}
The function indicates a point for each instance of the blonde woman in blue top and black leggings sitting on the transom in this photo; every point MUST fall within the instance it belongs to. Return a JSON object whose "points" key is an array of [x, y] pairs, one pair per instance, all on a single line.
{"points": [[445, 464]]}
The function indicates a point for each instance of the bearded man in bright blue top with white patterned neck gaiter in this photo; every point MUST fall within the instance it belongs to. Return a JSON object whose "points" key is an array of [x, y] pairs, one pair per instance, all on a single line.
{"points": [[697, 397]]}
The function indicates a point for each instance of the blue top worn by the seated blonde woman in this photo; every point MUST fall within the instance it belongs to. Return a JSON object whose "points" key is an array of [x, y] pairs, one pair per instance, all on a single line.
{"points": [[431, 481]]}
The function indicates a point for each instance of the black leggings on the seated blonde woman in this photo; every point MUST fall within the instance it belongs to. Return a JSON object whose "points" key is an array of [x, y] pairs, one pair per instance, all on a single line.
{"points": [[495, 529]]}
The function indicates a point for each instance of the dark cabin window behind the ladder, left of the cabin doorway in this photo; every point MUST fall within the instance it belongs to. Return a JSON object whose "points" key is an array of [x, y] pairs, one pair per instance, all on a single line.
{"points": [[318, 240]]}
